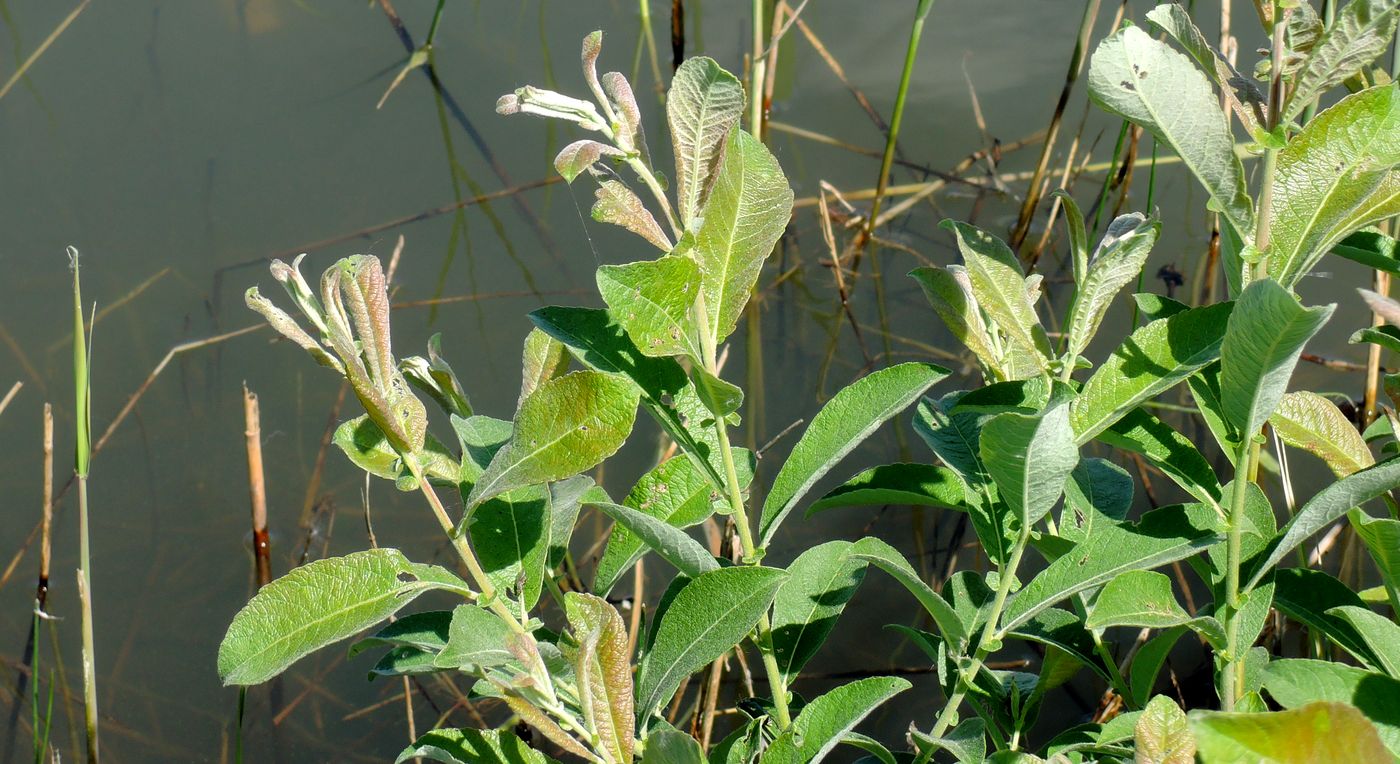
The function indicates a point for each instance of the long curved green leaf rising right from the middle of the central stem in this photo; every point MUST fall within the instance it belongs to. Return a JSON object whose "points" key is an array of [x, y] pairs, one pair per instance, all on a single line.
{"points": [[838, 429]]}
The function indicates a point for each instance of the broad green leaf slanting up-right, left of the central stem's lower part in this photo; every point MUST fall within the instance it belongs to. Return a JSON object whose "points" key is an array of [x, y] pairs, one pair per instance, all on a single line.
{"points": [[708, 618]]}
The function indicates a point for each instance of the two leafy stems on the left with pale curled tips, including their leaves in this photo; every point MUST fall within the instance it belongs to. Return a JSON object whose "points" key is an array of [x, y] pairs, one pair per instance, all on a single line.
{"points": [[559, 660]]}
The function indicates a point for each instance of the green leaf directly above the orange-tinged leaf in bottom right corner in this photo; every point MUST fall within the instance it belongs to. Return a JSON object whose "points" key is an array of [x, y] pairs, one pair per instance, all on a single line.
{"points": [[1300, 682]]}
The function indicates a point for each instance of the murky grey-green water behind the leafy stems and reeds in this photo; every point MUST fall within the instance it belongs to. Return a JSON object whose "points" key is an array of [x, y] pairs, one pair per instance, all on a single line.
{"points": [[174, 142]]}
